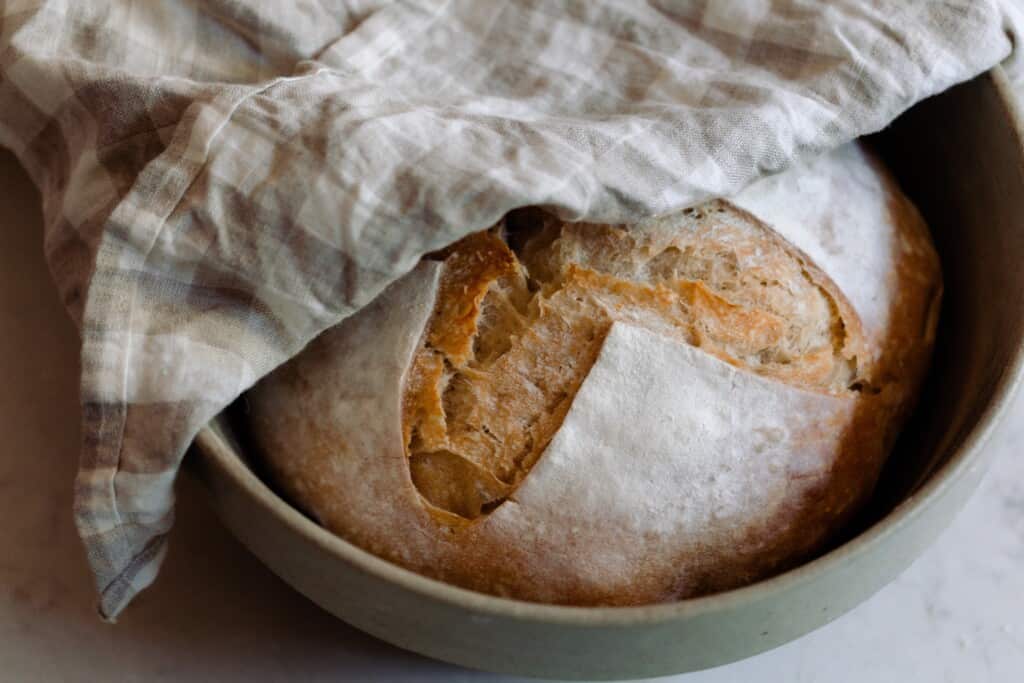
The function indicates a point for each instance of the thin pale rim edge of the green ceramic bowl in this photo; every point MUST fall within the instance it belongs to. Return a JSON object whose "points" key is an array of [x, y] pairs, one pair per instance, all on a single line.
{"points": [[968, 454]]}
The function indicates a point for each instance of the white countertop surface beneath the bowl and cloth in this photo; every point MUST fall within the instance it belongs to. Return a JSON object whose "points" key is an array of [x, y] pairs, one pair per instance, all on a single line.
{"points": [[218, 615]]}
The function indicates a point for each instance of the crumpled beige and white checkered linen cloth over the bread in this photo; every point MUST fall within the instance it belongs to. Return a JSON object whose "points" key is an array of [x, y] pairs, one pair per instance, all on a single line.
{"points": [[224, 180]]}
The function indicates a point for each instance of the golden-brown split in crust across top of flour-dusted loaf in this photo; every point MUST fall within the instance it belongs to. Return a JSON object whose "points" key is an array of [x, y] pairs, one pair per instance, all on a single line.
{"points": [[523, 311]]}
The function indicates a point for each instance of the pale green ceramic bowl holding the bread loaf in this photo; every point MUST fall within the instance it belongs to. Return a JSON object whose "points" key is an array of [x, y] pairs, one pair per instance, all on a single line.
{"points": [[960, 157]]}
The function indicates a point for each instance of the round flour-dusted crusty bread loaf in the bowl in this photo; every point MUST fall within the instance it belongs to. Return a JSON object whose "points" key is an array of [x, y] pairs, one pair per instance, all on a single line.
{"points": [[584, 414]]}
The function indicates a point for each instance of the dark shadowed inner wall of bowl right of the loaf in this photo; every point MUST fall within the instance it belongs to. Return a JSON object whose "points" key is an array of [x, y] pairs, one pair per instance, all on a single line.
{"points": [[966, 179]]}
